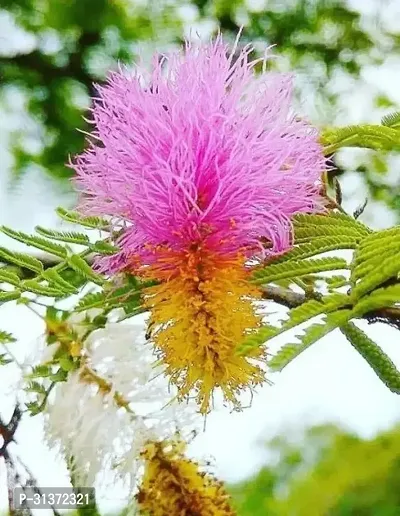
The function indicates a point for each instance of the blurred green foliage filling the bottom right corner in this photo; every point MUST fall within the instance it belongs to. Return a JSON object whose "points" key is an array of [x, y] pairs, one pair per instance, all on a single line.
{"points": [[331, 473]]}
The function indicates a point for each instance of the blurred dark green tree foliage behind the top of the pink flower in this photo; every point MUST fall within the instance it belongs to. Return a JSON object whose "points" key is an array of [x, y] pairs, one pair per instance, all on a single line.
{"points": [[77, 41]]}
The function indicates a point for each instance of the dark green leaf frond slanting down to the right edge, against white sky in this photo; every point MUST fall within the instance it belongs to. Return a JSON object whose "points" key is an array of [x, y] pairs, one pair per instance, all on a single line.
{"points": [[376, 358]]}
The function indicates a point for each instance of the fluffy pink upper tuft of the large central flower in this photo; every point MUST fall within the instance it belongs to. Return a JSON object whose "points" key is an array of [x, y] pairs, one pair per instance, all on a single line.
{"points": [[202, 150]]}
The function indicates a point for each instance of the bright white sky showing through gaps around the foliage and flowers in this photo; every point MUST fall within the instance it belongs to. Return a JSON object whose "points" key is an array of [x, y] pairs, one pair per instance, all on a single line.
{"points": [[328, 383]]}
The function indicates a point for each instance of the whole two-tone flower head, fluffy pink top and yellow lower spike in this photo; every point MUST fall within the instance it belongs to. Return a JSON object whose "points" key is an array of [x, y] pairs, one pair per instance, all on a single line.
{"points": [[204, 164]]}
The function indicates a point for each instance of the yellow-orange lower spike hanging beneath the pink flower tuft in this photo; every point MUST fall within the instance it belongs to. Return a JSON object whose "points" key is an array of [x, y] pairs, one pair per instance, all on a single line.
{"points": [[200, 312]]}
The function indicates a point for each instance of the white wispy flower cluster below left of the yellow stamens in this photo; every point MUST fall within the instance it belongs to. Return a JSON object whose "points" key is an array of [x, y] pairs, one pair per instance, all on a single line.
{"points": [[88, 424]]}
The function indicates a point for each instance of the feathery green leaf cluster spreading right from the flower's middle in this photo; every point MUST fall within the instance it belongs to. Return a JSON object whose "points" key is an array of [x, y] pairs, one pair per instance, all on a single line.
{"points": [[375, 262]]}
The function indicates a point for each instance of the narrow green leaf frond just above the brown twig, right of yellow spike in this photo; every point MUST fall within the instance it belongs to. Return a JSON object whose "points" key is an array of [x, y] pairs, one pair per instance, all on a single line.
{"points": [[293, 269]]}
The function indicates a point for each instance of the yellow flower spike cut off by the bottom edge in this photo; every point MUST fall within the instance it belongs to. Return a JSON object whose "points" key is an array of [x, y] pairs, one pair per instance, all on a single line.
{"points": [[174, 486]]}
